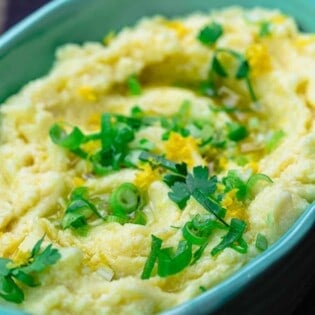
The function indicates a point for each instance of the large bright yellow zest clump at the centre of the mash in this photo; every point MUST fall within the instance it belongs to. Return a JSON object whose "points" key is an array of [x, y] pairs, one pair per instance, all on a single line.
{"points": [[180, 149]]}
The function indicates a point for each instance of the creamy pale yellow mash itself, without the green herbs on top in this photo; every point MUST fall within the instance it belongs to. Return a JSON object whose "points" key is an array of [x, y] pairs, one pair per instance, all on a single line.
{"points": [[100, 272]]}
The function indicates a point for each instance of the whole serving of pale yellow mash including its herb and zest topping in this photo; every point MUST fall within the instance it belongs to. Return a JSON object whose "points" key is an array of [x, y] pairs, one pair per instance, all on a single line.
{"points": [[144, 170]]}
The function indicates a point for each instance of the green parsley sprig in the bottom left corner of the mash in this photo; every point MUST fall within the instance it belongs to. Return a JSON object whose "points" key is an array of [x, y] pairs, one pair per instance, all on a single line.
{"points": [[11, 275]]}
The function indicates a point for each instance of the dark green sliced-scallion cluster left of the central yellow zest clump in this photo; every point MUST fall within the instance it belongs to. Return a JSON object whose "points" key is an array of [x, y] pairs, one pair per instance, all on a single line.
{"points": [[116, 134]]}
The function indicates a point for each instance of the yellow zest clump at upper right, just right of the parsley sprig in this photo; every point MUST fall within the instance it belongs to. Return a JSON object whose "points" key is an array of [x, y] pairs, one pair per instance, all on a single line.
{"points": [[259, 58]]}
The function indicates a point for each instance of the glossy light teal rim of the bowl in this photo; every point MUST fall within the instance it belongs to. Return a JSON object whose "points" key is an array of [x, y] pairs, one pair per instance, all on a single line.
{"points": [[226, 289]]}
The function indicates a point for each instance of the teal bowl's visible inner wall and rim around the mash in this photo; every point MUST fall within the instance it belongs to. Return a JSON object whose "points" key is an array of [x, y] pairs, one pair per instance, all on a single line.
{"points": [[27, 52]]}
